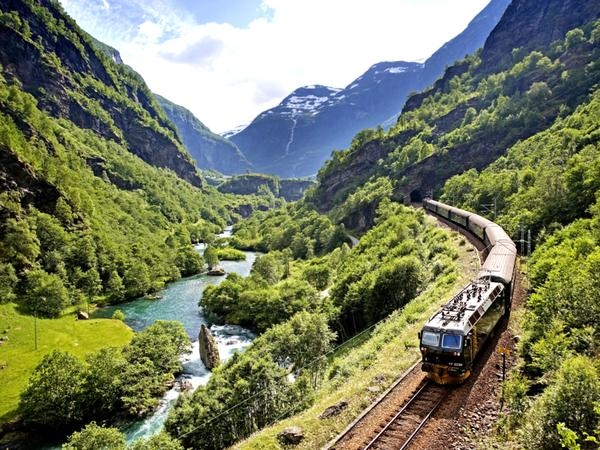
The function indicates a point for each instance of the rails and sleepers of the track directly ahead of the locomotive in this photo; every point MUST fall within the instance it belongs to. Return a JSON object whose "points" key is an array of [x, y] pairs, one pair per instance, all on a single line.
{"points": [[403, 426]]}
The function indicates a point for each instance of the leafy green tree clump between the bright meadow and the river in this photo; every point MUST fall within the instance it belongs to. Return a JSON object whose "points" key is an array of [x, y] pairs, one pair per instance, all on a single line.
{"points": [[63, 392]]}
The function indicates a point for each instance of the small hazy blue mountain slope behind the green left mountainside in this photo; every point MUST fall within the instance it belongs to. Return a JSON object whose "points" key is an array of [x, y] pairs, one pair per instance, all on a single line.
{"points": [[210, 150]]}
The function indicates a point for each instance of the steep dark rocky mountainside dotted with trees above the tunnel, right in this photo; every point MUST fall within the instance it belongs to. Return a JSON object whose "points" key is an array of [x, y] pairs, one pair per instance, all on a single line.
{"points": [[535, 66]]}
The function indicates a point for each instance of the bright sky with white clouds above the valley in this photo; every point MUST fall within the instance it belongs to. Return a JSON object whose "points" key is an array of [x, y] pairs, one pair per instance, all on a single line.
{"points": [[229, 60]]}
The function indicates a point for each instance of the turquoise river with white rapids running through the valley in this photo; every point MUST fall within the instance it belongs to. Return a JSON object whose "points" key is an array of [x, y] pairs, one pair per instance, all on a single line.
{"points": [[179, 301]]}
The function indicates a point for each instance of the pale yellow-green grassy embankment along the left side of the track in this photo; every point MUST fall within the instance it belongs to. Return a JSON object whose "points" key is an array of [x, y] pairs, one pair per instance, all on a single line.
{"points": [[390, 350]]}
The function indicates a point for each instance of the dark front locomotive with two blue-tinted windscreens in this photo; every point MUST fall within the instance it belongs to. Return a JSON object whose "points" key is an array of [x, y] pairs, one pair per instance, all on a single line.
{"points": [[452, 338]]}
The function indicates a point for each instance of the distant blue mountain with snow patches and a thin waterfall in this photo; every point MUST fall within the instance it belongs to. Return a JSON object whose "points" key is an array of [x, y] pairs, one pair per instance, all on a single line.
{"points": [[296, 137]]}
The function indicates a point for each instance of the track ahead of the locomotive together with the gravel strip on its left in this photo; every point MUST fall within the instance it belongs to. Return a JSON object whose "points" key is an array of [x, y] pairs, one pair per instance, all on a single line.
{"points": [[396, 417]]}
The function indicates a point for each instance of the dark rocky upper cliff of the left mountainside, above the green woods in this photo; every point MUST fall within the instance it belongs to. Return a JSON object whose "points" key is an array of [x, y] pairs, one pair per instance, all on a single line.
{"points": [[118, 105]]}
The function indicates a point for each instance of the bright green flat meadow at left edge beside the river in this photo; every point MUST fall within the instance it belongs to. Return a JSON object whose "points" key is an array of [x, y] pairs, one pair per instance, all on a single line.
{"points": [[19, 357]]}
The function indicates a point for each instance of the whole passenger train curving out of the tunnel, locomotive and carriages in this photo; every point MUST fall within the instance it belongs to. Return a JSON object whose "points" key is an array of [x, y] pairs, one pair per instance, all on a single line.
{"points": [[452, 339]]}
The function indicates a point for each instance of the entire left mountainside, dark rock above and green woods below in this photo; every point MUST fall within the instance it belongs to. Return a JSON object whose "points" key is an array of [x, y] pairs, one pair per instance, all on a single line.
{"points": [[99, 201]]}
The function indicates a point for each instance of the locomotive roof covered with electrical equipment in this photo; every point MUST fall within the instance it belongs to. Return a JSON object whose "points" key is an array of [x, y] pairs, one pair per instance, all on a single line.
{"points": [[461, 313]]}
